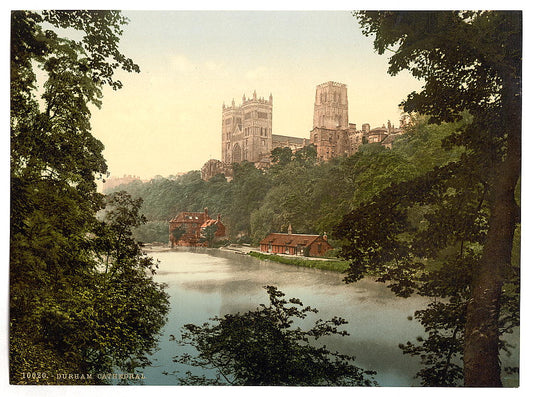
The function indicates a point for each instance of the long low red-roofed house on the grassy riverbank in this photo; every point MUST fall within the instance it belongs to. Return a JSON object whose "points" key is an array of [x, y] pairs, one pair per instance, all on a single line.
{"points": [[295, 244]]}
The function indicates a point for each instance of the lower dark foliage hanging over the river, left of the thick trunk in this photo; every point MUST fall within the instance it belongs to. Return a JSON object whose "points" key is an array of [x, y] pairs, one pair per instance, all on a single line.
{"points": [[423, 236]]}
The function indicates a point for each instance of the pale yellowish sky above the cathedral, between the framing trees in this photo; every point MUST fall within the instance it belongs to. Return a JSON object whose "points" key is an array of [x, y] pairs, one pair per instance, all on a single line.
{"points": [[167, 119]]}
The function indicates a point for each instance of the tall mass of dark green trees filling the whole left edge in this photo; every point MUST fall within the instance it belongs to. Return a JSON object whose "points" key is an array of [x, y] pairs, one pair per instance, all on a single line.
{"points": [[71, 276]]}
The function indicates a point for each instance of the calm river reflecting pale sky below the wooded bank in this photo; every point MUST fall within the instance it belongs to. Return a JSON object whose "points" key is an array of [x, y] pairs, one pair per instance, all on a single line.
{"points": [[211, 283]]}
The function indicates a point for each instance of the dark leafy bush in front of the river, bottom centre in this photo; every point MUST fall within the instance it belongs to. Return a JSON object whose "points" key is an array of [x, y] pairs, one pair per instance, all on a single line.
{"points": [[264, 347]]}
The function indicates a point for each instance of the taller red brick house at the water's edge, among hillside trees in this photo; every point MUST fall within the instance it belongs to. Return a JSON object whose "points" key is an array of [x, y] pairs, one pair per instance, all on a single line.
{"points": [[187, 229]]}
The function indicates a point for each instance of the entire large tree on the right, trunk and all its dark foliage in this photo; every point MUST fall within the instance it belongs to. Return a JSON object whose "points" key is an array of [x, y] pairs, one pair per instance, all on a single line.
{"points": [[449, 231]]}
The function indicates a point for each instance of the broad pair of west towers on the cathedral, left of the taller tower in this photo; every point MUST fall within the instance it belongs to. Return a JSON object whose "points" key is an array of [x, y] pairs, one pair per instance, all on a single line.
{"points": [[247, 130]]}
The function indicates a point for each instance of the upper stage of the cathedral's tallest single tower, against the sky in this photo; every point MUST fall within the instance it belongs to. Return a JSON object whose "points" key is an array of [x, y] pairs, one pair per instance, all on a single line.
{"points": [[331, 106]]}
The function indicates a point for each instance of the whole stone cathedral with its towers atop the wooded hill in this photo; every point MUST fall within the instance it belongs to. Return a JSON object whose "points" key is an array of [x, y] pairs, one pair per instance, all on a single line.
{"points": [[247, 131]]}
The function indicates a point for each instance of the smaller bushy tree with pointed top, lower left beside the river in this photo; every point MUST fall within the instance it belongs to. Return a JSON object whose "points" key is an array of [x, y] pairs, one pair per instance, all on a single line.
{"points": [[106, 315]]}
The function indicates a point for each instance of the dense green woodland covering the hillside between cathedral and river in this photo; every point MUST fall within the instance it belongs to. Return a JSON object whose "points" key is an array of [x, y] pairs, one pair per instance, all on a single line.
{"points": [[311, 196]]}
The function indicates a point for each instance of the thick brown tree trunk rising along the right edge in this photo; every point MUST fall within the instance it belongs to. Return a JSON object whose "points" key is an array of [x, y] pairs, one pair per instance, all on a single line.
{"points": [[481, 353]]}
